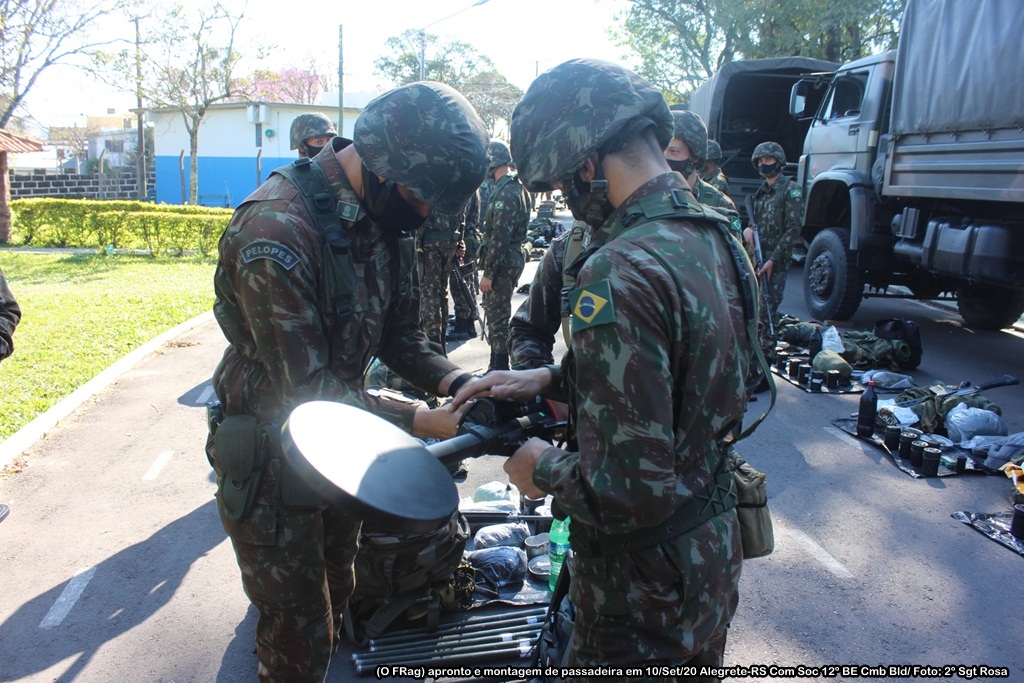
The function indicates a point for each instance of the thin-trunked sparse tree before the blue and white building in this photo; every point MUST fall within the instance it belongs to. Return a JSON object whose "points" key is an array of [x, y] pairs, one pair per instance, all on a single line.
{"points": [[188, 64]]}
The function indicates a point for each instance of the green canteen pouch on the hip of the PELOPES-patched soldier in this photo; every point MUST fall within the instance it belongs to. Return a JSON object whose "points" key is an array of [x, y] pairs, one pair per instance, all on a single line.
{"points": [[240, 453]]}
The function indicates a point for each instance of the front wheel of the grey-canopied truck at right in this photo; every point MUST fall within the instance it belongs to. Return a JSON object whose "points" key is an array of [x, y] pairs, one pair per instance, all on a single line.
{"points": [[833, 286]]}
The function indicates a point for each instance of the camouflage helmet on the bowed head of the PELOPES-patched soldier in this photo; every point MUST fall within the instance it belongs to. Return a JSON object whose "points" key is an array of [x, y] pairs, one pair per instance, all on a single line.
{"points": [[428, 138]]}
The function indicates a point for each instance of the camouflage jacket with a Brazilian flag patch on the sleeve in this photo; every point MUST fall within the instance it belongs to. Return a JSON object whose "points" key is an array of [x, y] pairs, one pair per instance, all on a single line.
{"points": [[661, 356]]}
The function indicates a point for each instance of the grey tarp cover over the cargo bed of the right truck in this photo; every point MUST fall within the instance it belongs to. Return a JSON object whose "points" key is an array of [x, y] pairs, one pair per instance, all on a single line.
{"points": [[944, 48]]}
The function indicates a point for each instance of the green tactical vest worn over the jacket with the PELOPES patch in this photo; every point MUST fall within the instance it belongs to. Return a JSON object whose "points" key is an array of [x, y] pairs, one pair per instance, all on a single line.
{"points": [[331, 219]]}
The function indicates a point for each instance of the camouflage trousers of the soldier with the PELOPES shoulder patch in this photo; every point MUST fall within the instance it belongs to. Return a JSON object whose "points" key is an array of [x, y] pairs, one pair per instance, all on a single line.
{"points": [[297, 572]]}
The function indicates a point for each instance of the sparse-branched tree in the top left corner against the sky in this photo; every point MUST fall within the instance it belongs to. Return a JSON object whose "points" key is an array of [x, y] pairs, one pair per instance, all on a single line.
{"points": [[38, 34]]}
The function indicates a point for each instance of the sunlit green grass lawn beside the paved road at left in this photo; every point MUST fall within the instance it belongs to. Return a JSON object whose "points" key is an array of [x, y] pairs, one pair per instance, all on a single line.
{"points": [[82, 313]]}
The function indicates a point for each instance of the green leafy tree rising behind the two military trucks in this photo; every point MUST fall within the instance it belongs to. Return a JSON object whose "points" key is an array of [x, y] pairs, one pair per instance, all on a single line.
{"points": [[684, 42]]}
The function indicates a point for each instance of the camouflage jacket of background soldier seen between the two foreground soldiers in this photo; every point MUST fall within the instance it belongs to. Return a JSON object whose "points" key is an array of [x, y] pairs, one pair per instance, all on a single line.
{"points": [[505, 224]]}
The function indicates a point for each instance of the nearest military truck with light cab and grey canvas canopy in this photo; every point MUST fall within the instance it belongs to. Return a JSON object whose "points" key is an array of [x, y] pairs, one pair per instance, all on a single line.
{"points": [[913, 167]]}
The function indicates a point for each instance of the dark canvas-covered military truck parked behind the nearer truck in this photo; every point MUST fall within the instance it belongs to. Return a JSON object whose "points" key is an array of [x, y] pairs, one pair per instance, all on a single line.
{"points": [[745, 104]]}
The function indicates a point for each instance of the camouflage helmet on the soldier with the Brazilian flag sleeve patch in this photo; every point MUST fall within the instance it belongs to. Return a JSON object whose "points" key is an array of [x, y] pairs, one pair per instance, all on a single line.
{"points": [[580, 108]]}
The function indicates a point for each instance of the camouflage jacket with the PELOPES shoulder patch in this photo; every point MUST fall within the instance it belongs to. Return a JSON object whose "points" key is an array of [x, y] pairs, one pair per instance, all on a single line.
{"points": [[286, 347]]}
